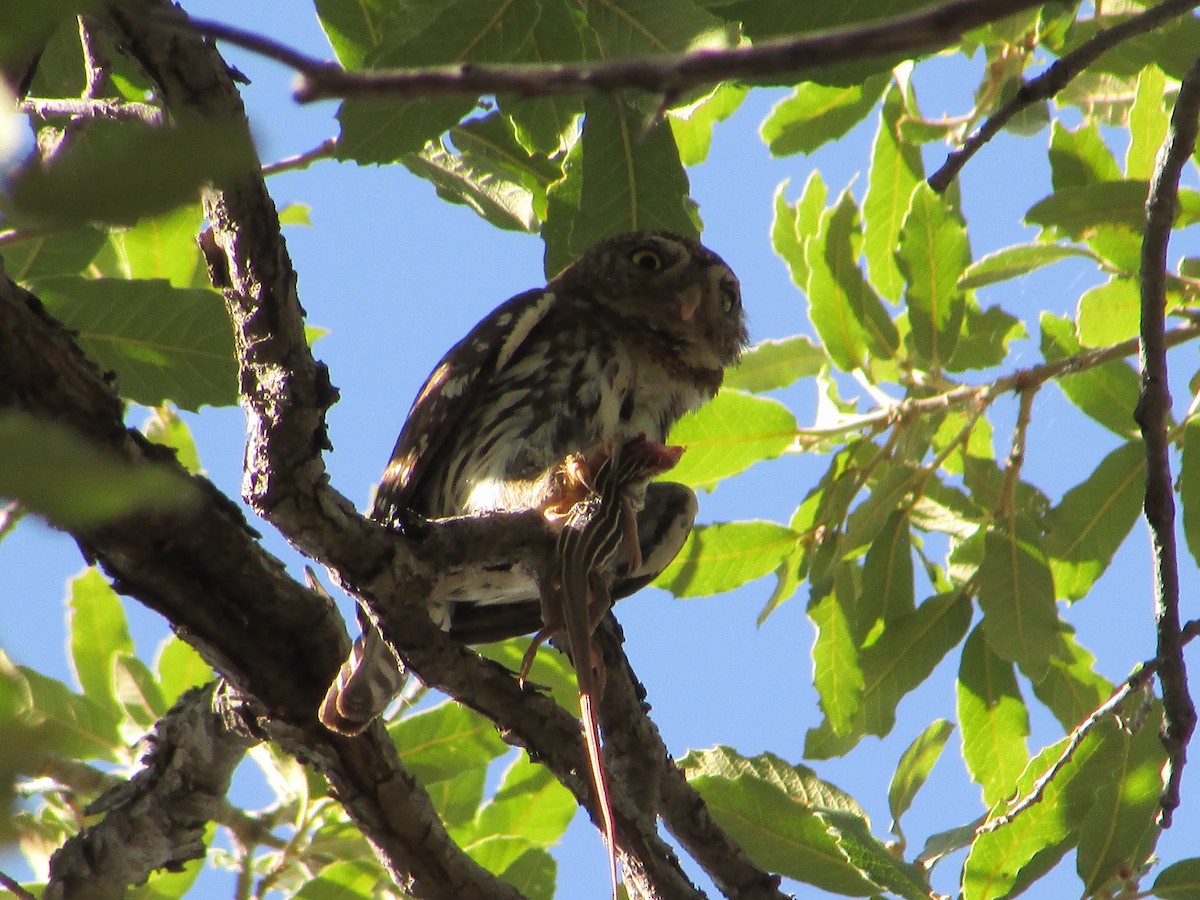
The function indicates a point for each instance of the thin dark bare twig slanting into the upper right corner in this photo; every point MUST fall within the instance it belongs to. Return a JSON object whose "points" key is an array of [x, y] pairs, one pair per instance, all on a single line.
{"points": [[1054, 80]]}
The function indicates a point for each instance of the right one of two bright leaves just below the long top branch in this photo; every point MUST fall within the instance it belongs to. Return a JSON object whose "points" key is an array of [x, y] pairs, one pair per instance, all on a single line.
{"points": [[817, 115]]}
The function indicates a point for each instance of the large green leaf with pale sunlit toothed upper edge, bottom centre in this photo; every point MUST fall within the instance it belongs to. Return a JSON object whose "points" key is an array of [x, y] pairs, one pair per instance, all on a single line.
{"points": [[771, 809]]}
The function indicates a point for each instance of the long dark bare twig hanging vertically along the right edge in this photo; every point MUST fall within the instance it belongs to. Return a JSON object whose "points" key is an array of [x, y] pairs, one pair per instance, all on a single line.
{"points": [[1153, 413]]}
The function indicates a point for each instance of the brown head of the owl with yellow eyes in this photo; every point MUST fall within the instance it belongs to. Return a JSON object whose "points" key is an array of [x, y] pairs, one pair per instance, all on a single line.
{"points": [[668, 287]]}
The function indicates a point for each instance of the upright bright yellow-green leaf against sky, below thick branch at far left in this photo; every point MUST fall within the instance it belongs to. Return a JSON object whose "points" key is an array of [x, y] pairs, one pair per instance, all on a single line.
{"points": [[99, 634]]}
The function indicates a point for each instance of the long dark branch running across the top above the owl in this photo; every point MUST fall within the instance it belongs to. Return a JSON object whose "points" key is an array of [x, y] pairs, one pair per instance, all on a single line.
{"points": [[665, 74]]}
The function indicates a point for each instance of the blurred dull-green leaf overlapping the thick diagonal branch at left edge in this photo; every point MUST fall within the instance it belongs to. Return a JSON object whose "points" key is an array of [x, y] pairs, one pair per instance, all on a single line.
{"points": [[62, 476]]}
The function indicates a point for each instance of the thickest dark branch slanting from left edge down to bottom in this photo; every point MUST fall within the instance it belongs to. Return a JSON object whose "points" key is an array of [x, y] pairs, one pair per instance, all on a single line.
{"points": [[206, 573]]}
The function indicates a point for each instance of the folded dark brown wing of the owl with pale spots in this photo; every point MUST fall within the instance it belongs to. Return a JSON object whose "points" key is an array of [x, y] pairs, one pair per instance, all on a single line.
{"points": [[452, 389]]}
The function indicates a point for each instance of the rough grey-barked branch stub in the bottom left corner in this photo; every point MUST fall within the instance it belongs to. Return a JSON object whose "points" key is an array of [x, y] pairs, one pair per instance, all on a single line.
{"points": [[157, 820]]}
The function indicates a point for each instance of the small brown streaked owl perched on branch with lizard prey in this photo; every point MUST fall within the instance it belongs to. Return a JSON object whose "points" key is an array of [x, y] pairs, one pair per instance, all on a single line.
{"points": [[622, 343]]}
